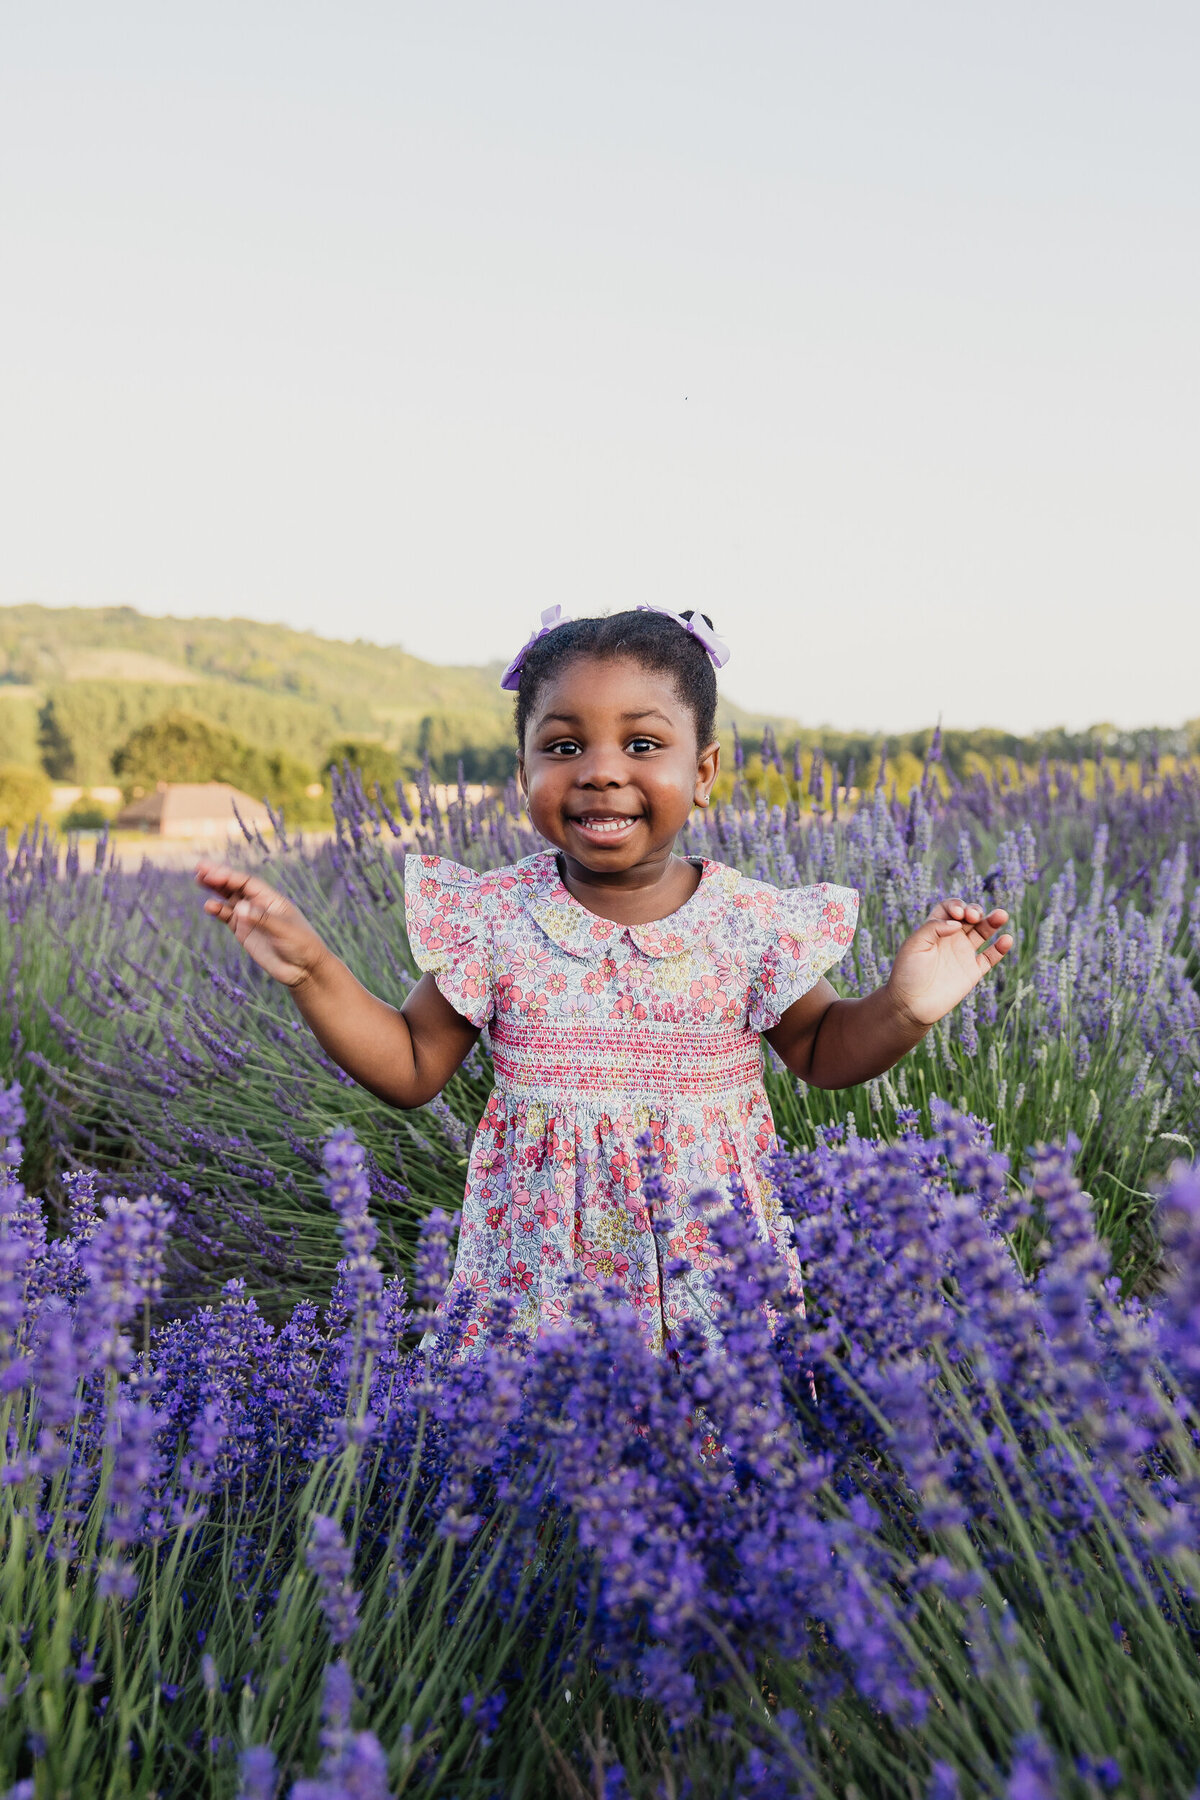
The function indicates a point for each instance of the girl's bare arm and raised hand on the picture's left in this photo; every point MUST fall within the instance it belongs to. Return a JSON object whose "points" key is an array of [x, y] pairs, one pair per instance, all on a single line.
{"points": [[402, 1056]]}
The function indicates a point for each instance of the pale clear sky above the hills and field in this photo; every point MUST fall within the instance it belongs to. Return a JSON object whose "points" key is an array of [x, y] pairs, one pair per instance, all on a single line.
{"points": [[868, 328]]}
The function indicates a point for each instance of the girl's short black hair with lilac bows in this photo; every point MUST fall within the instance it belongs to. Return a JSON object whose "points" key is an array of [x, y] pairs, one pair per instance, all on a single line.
{"points": [[649, 638]]}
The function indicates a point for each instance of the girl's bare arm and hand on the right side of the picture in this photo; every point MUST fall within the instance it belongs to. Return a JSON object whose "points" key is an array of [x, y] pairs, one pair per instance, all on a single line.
{"points": [[834, 1043]]}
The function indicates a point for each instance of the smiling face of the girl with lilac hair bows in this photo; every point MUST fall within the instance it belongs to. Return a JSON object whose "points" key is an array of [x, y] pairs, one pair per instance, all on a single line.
{"points": [[611, 764]]}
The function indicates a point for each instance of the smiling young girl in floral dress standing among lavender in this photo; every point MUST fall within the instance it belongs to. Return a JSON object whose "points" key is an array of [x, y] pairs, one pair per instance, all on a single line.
{"points": [[625, 989]]}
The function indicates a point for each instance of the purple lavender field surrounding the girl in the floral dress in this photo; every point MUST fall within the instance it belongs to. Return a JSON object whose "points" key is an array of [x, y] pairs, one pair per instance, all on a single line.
{"points": [[935, 1536]]}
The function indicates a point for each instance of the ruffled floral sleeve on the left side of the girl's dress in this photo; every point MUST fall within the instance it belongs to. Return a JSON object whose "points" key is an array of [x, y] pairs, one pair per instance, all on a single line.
{"points": [[451, 935]]}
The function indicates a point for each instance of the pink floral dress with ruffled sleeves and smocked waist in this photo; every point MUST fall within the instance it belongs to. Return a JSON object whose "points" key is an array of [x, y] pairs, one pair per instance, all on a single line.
{"points": [[602, 1032]]}
